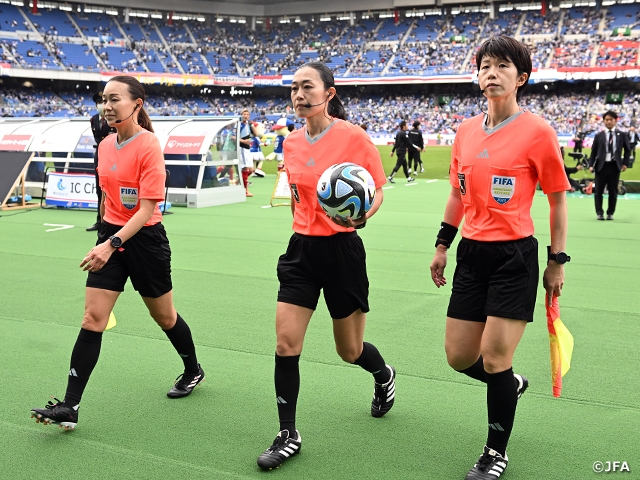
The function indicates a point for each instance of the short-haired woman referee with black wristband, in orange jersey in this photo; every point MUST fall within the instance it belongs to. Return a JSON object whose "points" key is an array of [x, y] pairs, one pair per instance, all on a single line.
{"points": [[497, 160]]}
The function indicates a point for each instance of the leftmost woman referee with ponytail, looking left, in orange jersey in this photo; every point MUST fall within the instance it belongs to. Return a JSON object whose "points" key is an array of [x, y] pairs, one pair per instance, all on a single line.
{"points": [[132, 243]]}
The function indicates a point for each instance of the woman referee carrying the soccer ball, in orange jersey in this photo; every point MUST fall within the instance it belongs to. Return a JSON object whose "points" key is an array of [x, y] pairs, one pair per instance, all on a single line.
{"points": [[323, 254]]}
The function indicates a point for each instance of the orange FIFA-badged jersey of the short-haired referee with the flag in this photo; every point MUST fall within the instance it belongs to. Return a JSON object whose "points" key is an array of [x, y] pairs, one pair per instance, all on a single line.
{"points": [[497, 171]]}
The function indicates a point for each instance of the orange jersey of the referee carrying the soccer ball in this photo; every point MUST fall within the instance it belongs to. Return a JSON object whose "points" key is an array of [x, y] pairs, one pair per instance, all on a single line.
{"points": [[306, 160]]}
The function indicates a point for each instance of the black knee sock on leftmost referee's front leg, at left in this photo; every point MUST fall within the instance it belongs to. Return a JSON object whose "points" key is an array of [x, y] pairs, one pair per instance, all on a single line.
{"points": [[84, 358]]}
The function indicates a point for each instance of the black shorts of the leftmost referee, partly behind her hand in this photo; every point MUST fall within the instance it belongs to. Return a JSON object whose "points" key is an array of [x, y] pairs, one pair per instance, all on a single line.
{"points": [[145, 258]]}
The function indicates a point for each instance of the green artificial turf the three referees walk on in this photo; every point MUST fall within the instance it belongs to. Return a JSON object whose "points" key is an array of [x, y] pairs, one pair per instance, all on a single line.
{"points": [[225, 286]]}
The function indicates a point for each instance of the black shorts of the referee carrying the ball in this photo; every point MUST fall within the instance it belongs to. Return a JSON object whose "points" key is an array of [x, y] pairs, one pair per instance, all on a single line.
{"points": [[335, 264]]}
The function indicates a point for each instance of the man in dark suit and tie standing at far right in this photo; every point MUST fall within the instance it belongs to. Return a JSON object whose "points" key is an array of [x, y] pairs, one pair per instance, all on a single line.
{"points": [[607, 161]]}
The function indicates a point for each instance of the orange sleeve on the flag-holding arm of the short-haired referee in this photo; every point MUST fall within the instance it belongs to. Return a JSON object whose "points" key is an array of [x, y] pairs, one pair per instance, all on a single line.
{"points": [[545, 158]]}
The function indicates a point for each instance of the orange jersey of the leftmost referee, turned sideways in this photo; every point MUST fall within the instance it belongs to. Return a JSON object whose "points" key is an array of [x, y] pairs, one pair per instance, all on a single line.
{"points": [[129, 172]]}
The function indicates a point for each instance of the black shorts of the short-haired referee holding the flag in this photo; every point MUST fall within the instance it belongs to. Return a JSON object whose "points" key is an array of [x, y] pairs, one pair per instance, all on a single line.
{"points": [[497, 279]]}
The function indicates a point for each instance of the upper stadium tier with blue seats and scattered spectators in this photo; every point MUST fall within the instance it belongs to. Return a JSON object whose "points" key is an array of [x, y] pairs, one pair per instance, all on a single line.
{"points": [[436, 42]]}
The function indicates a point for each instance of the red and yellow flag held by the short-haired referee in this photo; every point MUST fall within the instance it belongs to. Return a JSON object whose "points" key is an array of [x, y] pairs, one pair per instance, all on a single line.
{"points": [[561, 345]]}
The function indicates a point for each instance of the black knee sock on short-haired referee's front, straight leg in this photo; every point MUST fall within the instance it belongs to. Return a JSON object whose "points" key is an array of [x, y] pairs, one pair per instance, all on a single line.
{"points": [[502, 399]]}
